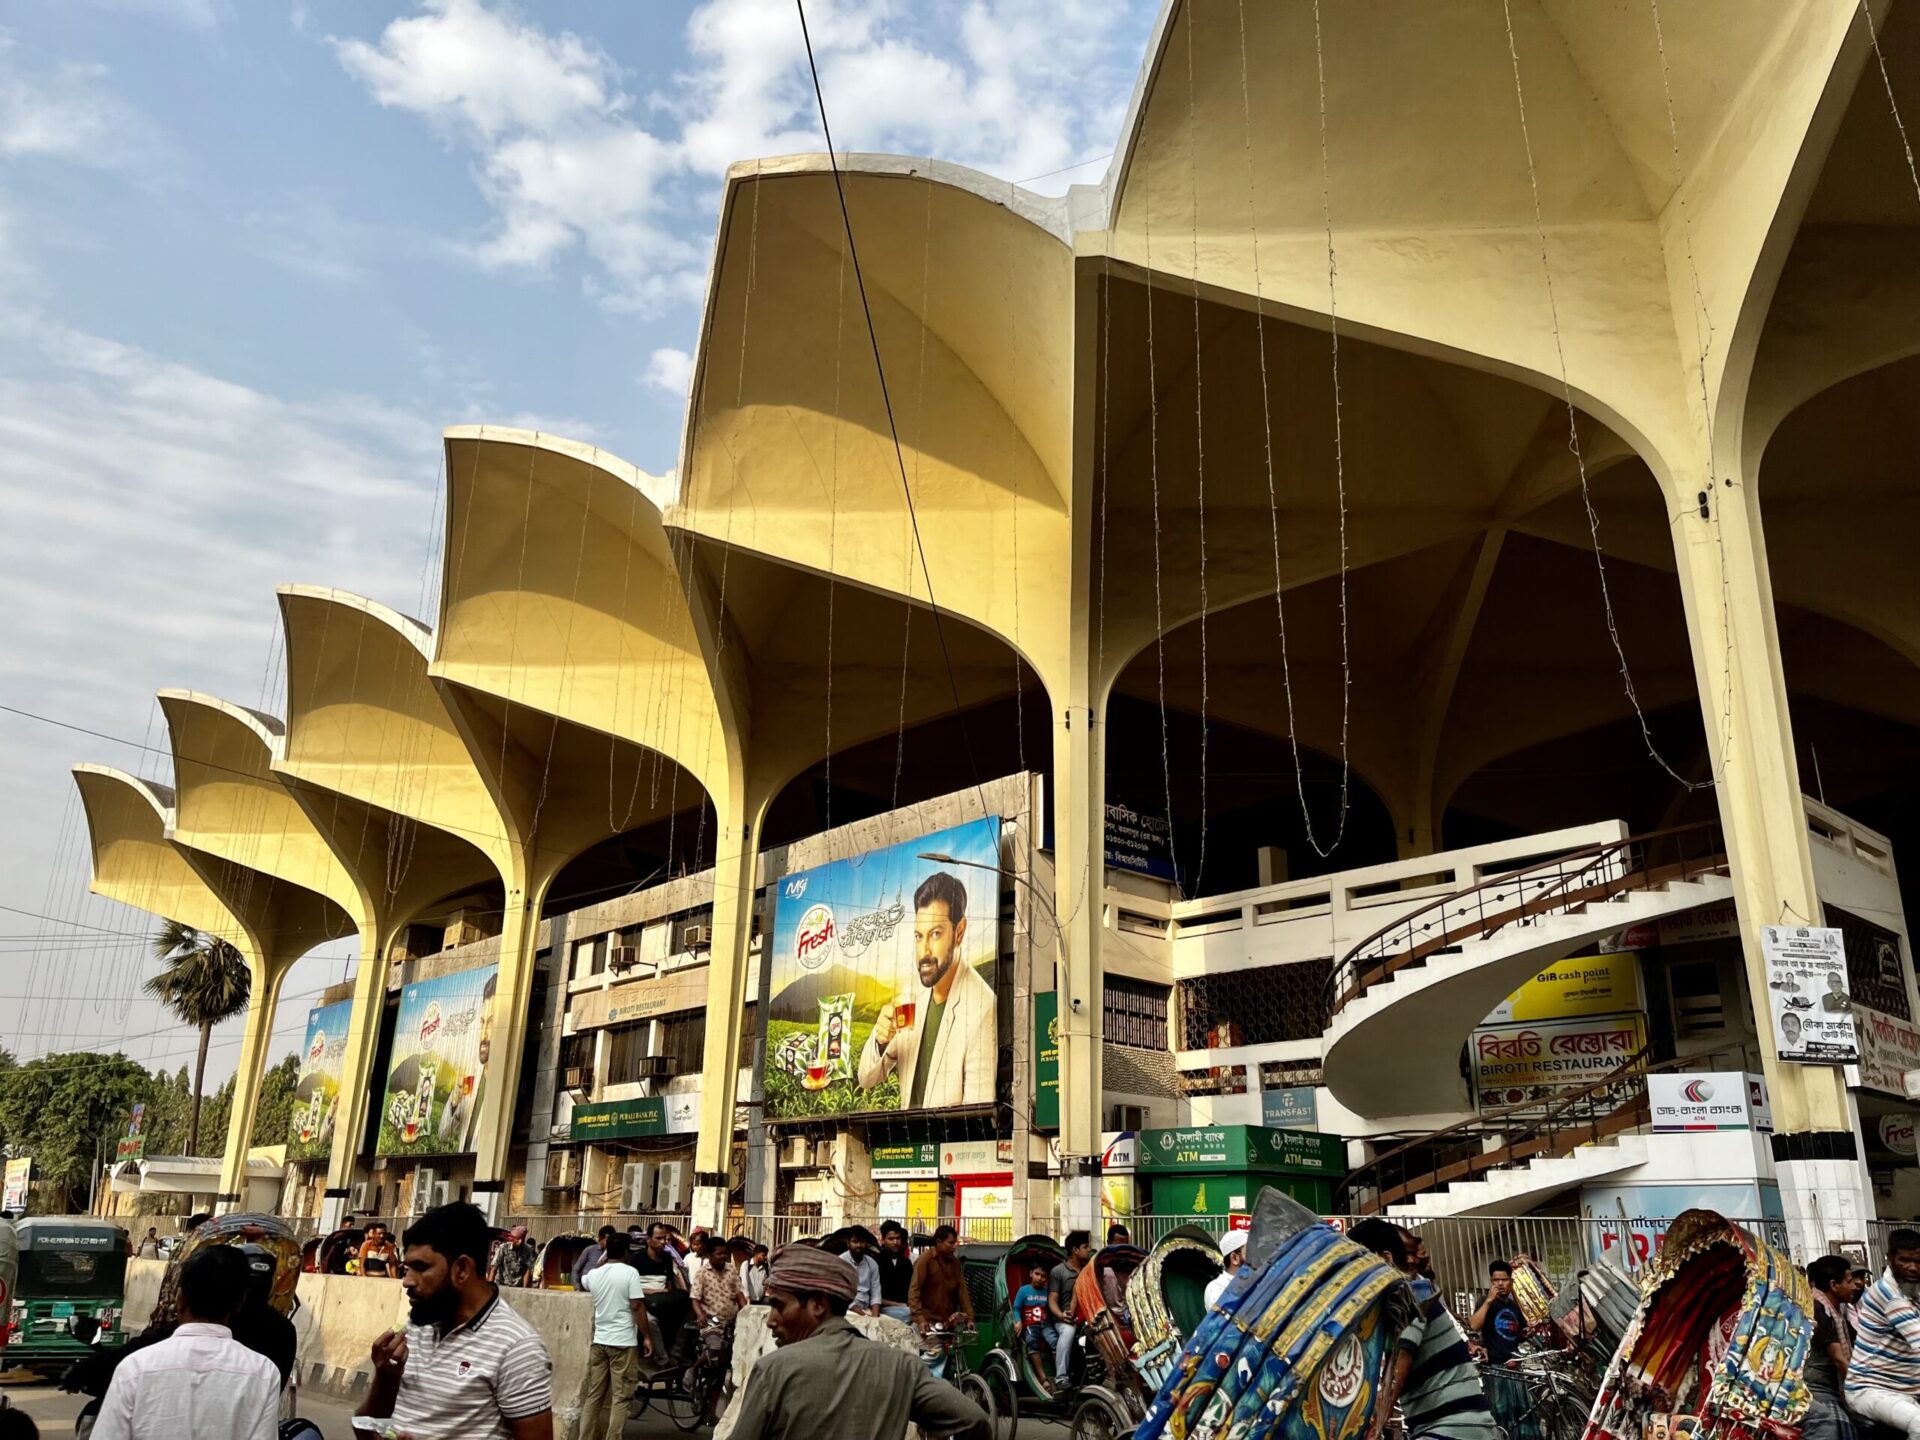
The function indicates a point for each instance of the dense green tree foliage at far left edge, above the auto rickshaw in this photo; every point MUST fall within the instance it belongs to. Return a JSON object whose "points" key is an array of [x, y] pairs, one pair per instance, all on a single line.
{"points": [[60, 1109]]}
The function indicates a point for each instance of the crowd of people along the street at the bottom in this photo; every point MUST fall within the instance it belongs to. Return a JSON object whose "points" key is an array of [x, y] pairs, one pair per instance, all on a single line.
{"points": [[468, 1366]]}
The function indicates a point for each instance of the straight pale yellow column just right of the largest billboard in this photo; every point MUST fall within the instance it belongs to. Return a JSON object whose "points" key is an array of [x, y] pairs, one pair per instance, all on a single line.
{"points": [[1080, 892]]}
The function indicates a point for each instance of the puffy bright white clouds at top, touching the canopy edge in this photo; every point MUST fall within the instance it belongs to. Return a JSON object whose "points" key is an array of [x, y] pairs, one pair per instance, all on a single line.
{"points": [[571, 160]]}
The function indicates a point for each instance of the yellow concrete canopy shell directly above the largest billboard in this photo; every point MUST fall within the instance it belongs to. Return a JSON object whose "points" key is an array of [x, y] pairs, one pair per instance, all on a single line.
{"points": [[788, 448]]}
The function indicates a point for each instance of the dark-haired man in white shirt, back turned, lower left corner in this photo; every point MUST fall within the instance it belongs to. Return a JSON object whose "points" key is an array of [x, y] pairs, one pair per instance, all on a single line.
{"points": [[201, 1381]]}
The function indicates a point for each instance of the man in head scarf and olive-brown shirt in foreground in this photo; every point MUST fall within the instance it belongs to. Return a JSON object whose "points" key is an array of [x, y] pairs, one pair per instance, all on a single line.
{"points": [[830, 1380]]}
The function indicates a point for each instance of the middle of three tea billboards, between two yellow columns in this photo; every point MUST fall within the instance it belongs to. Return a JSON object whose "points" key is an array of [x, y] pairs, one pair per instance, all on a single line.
{"points": [[443, 1040]]}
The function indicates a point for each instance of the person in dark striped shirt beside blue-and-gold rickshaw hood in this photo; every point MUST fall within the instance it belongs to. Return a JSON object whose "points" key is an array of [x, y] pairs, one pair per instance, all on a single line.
{"points": [[1433, 1376]]}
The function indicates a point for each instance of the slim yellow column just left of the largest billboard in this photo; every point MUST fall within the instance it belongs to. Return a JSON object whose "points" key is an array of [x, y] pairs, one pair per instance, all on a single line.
{"points": [[736, 853]]}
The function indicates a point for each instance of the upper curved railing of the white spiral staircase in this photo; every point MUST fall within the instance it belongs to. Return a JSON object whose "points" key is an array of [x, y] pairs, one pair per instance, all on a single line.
{"points": [[1564, 884]]}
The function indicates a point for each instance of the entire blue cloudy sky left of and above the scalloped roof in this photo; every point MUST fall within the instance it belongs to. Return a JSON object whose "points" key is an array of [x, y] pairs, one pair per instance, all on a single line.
{"points": [[254, 254]]}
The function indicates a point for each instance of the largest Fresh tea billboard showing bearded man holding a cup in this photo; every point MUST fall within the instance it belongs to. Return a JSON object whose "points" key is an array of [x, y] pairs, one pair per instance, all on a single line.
{"points": [[882, 980]]}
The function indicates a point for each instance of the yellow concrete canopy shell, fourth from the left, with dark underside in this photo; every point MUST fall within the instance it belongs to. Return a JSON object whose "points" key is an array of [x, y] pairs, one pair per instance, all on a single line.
{"points": [[567, 652]]}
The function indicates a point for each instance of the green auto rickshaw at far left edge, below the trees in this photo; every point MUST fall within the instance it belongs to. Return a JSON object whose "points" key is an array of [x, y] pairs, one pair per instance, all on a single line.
{"points": [[70, 1268]]}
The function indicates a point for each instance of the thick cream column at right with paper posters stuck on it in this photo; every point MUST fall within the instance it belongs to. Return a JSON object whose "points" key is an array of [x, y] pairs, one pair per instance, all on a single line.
{"points": [[1744, 702]]}
